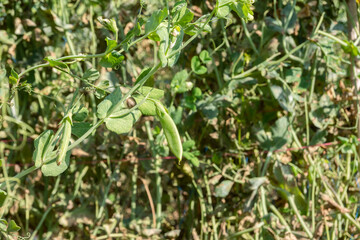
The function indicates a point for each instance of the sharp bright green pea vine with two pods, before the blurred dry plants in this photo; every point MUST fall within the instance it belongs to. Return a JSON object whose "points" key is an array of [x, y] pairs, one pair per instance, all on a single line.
{"points": [[171, 30]]}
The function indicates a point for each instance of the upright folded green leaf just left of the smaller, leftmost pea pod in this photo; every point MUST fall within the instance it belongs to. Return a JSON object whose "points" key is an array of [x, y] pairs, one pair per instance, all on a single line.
{"points": [[41, 144]]}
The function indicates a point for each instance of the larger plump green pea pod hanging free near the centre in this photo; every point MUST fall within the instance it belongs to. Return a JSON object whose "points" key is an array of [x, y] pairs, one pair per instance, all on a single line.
{"points": [[171, 133]]}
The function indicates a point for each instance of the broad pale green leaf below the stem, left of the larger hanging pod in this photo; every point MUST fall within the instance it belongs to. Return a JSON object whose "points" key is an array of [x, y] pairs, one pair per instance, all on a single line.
{"points": [[124, 123]]}
